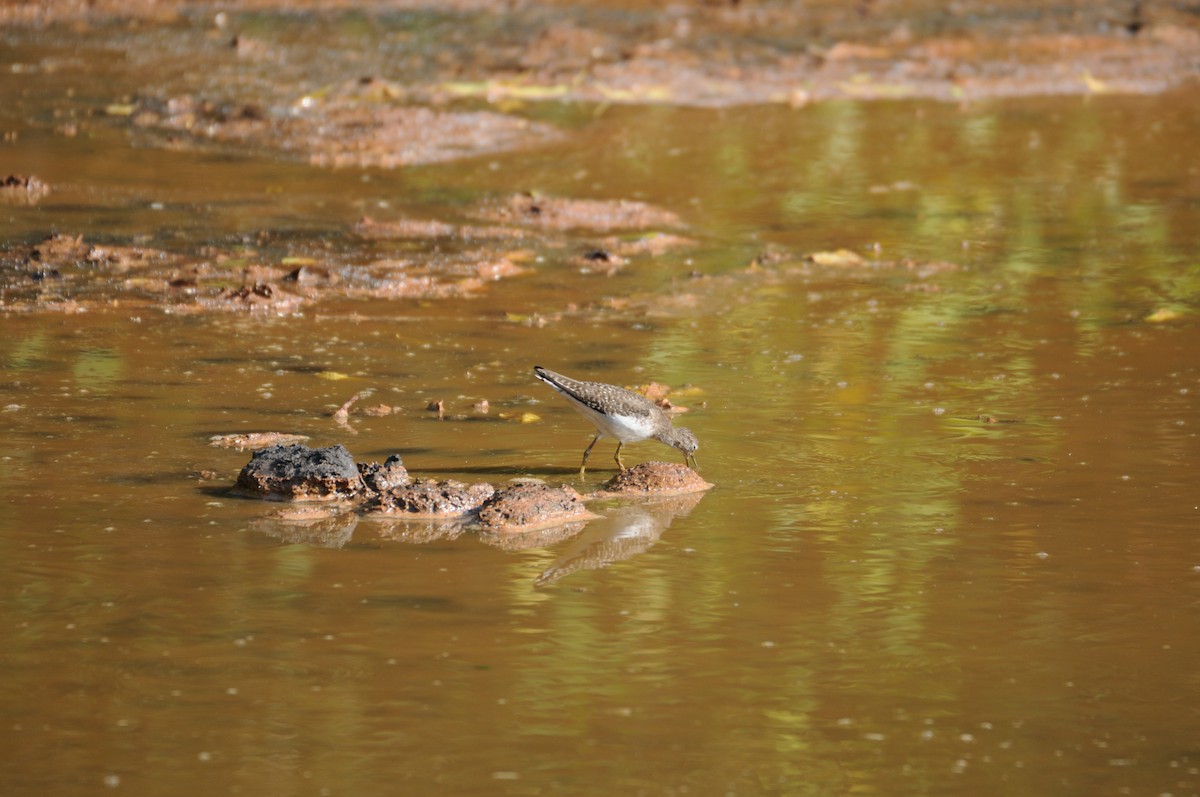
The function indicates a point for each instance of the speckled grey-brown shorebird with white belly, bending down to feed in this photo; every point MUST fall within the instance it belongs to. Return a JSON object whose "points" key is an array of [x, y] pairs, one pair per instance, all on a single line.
{"points": [[626, 416]]}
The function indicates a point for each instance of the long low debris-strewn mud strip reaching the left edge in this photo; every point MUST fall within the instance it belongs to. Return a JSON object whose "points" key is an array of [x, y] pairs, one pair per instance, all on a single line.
{"points": [[65, 274]]}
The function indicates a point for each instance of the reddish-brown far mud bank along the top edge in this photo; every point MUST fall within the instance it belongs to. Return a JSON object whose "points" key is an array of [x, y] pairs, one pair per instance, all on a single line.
{"points": [[710, 53]]}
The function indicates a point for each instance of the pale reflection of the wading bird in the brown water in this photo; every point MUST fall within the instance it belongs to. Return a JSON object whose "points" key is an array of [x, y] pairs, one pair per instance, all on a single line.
{"points": [[629, 531]]}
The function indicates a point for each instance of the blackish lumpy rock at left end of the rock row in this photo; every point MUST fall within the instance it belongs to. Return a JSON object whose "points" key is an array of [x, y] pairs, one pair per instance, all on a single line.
{"points": [[302, 474]]}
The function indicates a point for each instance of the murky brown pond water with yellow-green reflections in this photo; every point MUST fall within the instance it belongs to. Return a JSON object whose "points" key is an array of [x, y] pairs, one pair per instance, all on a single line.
{"points": [[952, 550]]}
